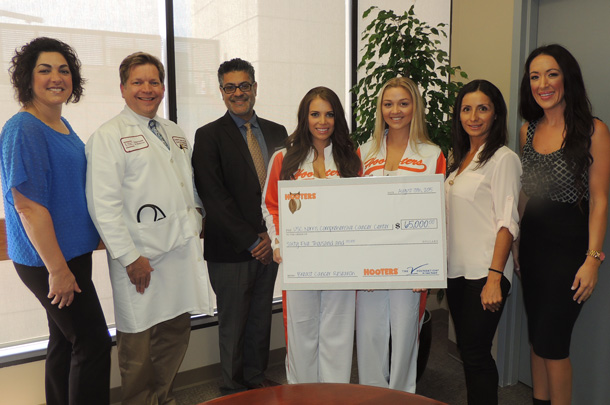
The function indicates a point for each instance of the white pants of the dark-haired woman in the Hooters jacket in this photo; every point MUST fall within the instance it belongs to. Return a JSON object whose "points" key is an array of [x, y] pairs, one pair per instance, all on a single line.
{"points": [[320, 329]]}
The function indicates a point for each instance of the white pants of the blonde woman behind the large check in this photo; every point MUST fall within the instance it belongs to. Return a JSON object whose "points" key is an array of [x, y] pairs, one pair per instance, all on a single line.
{"points": [[379, 313]]}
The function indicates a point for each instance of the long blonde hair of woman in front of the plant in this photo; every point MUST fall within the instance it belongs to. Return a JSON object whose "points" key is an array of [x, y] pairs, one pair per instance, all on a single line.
{"points": [[417, 132]]}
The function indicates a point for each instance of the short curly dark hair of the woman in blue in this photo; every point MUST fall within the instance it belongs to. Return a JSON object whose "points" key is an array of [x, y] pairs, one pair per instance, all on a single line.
{"points": [[24, 61]]}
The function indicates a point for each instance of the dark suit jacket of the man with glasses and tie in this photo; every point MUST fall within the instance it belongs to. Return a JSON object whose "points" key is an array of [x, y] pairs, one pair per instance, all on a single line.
{"points": [[227, 183]]}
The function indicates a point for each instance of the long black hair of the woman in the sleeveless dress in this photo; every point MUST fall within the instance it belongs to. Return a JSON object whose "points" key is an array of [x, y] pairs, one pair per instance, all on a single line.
{"points": [[578, 115]]}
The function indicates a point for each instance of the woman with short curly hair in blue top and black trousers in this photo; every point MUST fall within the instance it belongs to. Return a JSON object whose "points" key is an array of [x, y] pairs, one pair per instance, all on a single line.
{"points": [[49, 233]]}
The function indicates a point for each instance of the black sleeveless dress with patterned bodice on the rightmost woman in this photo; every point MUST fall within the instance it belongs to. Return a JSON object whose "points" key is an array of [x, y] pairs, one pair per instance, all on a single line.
{"points": [[554, 240]]}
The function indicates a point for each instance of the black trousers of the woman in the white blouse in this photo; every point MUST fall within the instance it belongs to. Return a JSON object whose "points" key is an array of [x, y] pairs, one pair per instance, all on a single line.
{"points": [[475, 329]]}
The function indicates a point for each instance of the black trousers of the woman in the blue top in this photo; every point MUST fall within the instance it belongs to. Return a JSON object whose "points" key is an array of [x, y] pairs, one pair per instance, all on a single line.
{"points": [[77, 368]]}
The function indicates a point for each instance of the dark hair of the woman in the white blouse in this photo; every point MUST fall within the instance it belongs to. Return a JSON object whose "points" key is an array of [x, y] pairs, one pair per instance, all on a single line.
{"points": [[498, 134]]}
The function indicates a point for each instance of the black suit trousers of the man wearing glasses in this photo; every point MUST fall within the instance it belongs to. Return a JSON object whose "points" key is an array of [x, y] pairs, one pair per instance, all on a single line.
{"points": [[244, 292]]}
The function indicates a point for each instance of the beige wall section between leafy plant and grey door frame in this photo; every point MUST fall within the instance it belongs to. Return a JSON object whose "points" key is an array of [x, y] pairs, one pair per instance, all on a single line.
{"points": [[481, 40]]}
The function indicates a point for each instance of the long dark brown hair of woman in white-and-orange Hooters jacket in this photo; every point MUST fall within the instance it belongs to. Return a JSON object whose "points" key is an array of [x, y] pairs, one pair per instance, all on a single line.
{"points": [[300, 142]]}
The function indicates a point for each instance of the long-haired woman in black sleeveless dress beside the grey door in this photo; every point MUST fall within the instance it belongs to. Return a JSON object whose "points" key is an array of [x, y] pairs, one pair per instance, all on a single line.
{"points": [[566, 176]]}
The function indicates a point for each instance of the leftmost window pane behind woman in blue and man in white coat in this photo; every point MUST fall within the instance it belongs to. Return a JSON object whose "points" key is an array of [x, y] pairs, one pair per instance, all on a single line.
{"points": [[102, 37]]}
